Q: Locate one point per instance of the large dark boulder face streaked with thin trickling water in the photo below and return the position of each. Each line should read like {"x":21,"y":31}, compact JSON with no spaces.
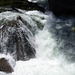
{"x":16,"y":39}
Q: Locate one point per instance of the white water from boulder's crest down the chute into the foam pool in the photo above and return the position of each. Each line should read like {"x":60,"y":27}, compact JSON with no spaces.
{"x":48,"y":61}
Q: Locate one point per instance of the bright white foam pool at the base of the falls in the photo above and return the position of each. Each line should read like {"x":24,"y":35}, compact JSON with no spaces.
{"x":43,"y":67}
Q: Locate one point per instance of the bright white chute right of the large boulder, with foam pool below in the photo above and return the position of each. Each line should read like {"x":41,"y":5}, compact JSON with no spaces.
{"x":48,"y":60}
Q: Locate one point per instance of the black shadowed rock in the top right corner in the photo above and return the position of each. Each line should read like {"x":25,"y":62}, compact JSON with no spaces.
{"x":62,"y":7}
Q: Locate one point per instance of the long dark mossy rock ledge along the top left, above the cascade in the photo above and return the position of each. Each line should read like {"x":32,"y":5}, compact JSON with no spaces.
{"x":21,"y":4}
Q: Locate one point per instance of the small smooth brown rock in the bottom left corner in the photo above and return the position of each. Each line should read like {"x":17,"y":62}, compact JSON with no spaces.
{"x":5,"y":66}
